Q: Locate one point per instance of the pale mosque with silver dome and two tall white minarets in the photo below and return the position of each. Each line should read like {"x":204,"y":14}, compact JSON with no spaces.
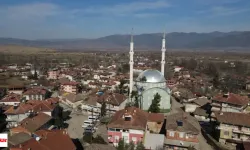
{"x":150,"y":82}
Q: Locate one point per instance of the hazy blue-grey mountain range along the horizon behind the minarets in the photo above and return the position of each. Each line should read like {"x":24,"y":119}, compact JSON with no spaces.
{"x":174,"y":40}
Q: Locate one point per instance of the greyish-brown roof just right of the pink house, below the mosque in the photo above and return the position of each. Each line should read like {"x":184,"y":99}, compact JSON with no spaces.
{"x":186,"y":126}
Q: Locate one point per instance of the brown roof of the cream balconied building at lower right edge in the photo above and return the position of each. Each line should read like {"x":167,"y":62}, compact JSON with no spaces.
{"x":240,"y":119}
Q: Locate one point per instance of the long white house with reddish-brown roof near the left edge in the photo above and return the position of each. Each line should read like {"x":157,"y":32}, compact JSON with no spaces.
{"x":17,"y":113}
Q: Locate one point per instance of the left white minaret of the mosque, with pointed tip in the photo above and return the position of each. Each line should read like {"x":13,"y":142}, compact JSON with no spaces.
{"x":131,"y":62}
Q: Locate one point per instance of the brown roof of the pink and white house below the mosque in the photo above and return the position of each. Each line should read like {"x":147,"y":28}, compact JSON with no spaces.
{"x":139,"y":119}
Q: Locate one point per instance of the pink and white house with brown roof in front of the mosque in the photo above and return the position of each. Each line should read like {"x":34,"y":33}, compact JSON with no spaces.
{"x":131,"y":124}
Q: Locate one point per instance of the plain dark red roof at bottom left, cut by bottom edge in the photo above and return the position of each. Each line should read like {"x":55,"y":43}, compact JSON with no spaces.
{"x":48,"y":140}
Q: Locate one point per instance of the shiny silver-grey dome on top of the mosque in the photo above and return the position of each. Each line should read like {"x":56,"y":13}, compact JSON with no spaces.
{"x":152,"y":76}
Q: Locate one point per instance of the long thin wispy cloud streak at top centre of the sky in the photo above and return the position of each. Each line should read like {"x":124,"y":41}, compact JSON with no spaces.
{"x":128,"y":8}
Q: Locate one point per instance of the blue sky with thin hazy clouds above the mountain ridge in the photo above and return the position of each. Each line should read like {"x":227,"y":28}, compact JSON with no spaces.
{"x":65,"y":19}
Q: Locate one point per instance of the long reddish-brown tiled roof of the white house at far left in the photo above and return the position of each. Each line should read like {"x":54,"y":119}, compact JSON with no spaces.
{"x":32,"y":105}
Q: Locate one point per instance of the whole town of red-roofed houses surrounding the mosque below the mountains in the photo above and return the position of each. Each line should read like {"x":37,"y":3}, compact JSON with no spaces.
{"x":126,"y":100}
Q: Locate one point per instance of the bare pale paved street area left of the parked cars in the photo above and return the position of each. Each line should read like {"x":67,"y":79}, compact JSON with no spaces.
{"x":75,"y":129}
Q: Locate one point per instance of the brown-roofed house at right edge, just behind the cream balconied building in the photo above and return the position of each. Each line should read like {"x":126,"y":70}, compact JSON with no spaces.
{"x":229,"y":102}
